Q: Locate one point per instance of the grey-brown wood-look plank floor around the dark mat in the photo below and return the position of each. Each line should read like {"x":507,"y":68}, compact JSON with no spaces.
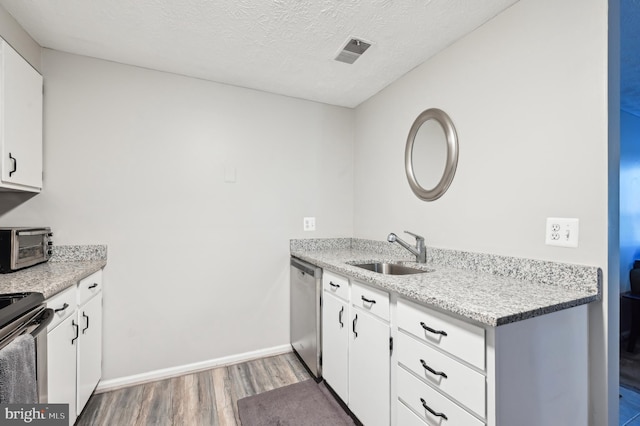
{"x":205,"y":398}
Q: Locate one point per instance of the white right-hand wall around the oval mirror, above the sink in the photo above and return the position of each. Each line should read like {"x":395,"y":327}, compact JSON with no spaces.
{"x":528,"y":94}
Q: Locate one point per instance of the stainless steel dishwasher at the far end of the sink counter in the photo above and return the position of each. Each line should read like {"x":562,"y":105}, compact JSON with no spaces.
{"x":306,"y":314}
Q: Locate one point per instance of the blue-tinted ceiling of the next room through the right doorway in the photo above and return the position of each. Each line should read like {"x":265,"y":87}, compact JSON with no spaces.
{"x":630,"y":56}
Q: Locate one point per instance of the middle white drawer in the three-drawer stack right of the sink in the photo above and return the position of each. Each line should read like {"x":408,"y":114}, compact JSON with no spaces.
{"x":462,"y":383}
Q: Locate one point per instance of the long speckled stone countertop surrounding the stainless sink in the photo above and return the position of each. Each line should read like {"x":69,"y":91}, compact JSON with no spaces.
{"x":488,"y":289}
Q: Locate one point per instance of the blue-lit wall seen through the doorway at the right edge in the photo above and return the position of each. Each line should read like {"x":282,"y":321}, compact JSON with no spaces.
{"x":629,"y":195}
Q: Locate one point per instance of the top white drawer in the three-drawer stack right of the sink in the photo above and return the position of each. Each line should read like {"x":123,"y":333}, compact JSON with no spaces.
{"x":459,"y":338}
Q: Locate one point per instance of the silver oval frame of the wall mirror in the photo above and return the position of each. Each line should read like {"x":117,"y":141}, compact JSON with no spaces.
{"x":452,"y":155}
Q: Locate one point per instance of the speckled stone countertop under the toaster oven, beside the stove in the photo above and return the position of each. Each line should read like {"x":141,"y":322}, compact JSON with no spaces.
{"x":68,"y":265}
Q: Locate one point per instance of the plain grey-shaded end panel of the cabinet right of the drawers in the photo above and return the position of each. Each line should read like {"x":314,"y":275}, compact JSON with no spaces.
{"x":537,"y":370}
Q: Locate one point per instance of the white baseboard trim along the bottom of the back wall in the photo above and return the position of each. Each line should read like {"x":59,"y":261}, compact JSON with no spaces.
{"x":167,"y":373}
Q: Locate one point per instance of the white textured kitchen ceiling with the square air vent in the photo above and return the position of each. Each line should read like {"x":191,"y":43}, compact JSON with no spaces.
{"x":280,"y":46}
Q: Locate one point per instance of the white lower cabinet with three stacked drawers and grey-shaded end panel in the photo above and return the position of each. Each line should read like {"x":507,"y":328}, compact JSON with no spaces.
{"x":527,"y":373}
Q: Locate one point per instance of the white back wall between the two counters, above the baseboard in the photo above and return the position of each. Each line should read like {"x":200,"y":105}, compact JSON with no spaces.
{"x":197,"y":268}
